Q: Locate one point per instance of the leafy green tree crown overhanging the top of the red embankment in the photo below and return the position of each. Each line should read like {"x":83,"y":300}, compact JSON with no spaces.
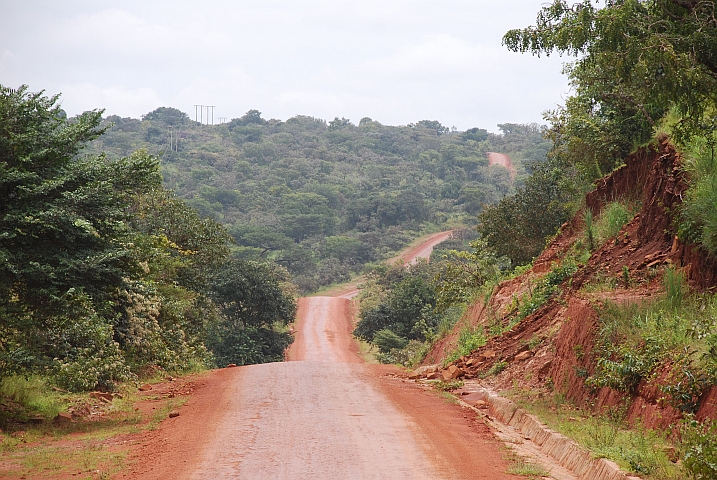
{"x":638,"y":58}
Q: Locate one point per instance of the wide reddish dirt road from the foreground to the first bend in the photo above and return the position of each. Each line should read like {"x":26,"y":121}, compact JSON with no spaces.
{"x":322,"y":415}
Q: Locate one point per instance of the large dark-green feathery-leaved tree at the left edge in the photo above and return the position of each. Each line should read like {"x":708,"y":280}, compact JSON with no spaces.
{"x":62,"y":216}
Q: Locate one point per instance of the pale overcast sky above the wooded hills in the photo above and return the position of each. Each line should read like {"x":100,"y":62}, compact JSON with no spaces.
{"x":396,"y":61}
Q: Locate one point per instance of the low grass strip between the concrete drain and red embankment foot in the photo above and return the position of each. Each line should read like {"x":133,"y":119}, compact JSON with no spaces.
{"x":607,"y":436}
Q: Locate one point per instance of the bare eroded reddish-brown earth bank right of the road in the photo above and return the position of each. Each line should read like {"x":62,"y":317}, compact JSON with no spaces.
{"x":554,"y":345}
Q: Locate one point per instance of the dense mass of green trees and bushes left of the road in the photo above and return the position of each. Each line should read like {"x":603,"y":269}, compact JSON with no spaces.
{"x":102,"y":271}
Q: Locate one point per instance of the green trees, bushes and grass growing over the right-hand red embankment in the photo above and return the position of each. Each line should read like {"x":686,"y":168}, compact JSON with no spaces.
{"x":643,"y":71}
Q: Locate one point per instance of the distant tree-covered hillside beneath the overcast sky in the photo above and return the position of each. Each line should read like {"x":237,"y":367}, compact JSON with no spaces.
{"x":324,"y":198}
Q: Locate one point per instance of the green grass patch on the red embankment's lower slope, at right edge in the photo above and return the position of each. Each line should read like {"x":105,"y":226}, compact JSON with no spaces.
{"x":633,"y":340}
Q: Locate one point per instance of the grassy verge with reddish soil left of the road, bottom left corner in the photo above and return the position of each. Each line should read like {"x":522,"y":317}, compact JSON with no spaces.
{"x":78,"y":448}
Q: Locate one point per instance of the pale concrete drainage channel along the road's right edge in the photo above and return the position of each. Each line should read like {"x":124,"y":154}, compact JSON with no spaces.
{"x":532,"y":440}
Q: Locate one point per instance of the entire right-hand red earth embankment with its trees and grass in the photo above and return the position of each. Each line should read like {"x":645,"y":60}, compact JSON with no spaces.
{"x":616,"y":313}
